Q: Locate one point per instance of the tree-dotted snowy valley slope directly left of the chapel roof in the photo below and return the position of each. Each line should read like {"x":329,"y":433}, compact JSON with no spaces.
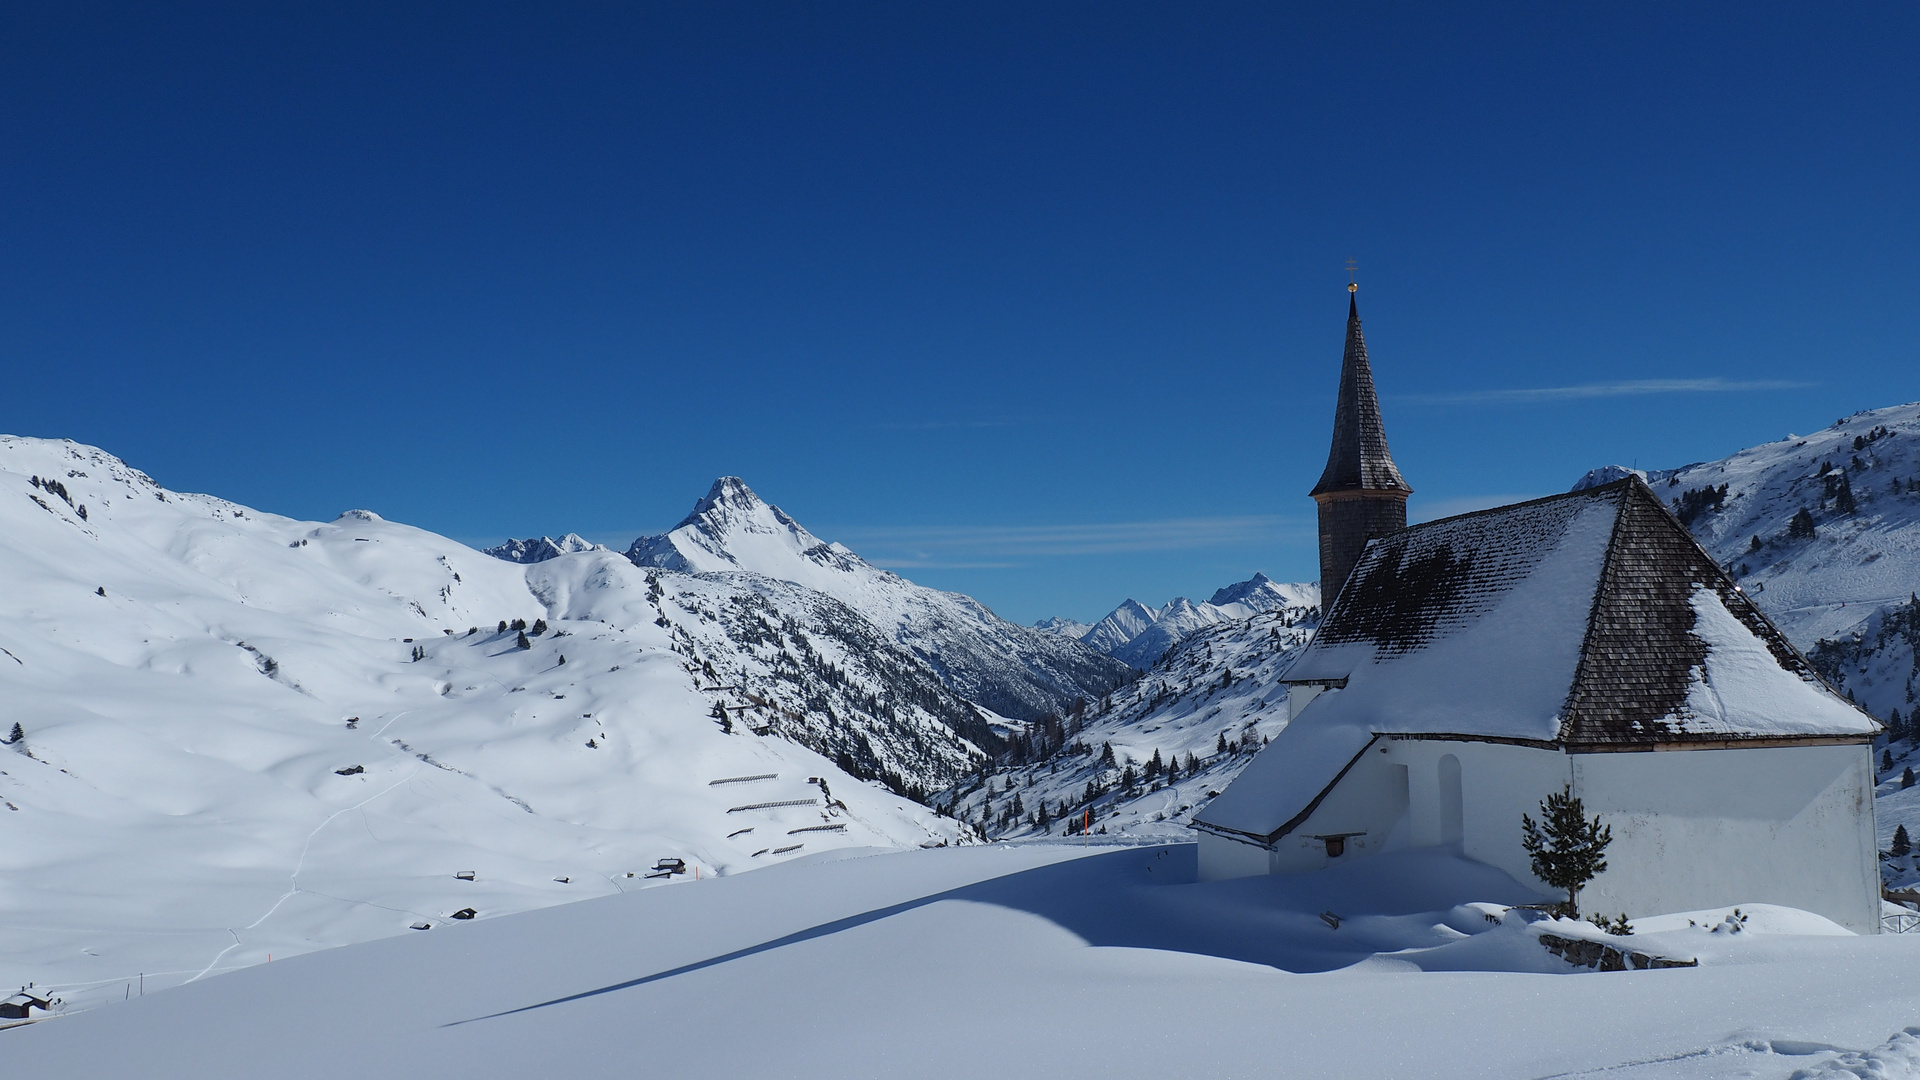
{"x":1209,"y":706}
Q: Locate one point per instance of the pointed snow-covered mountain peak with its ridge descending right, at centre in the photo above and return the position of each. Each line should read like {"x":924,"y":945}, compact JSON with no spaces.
{"x":1015,"y":672}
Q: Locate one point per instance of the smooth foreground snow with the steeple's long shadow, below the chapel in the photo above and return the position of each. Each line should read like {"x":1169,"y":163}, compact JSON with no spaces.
{"x":1032,"y":960}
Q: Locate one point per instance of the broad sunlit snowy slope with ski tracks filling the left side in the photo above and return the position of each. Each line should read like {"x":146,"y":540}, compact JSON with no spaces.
{"x":249,"y":735}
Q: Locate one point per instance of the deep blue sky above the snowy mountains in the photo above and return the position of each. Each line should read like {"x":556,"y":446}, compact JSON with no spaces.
{"x":1042,"y":303}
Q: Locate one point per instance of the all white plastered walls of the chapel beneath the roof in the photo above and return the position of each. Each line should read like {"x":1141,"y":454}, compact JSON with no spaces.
{"x":1691,"y":829}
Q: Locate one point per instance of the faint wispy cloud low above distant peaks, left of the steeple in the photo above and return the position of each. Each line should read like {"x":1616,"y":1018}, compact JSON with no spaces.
{"x":996,"y":545}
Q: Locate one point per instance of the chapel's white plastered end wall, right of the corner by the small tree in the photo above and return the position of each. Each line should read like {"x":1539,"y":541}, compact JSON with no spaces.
{"x":1716,"y":827}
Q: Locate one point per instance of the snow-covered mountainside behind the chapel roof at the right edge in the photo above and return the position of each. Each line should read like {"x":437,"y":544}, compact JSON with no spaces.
{"x":1825,"y":535}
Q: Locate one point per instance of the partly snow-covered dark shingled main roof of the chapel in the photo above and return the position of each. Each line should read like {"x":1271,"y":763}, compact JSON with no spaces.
{"x":1587,"y":622}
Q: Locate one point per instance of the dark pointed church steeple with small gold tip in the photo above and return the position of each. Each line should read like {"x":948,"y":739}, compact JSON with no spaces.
{"x":1362,"y":495}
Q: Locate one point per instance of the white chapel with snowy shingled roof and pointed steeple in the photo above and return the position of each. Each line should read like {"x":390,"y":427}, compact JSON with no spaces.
{"x":1470,"y":668}
